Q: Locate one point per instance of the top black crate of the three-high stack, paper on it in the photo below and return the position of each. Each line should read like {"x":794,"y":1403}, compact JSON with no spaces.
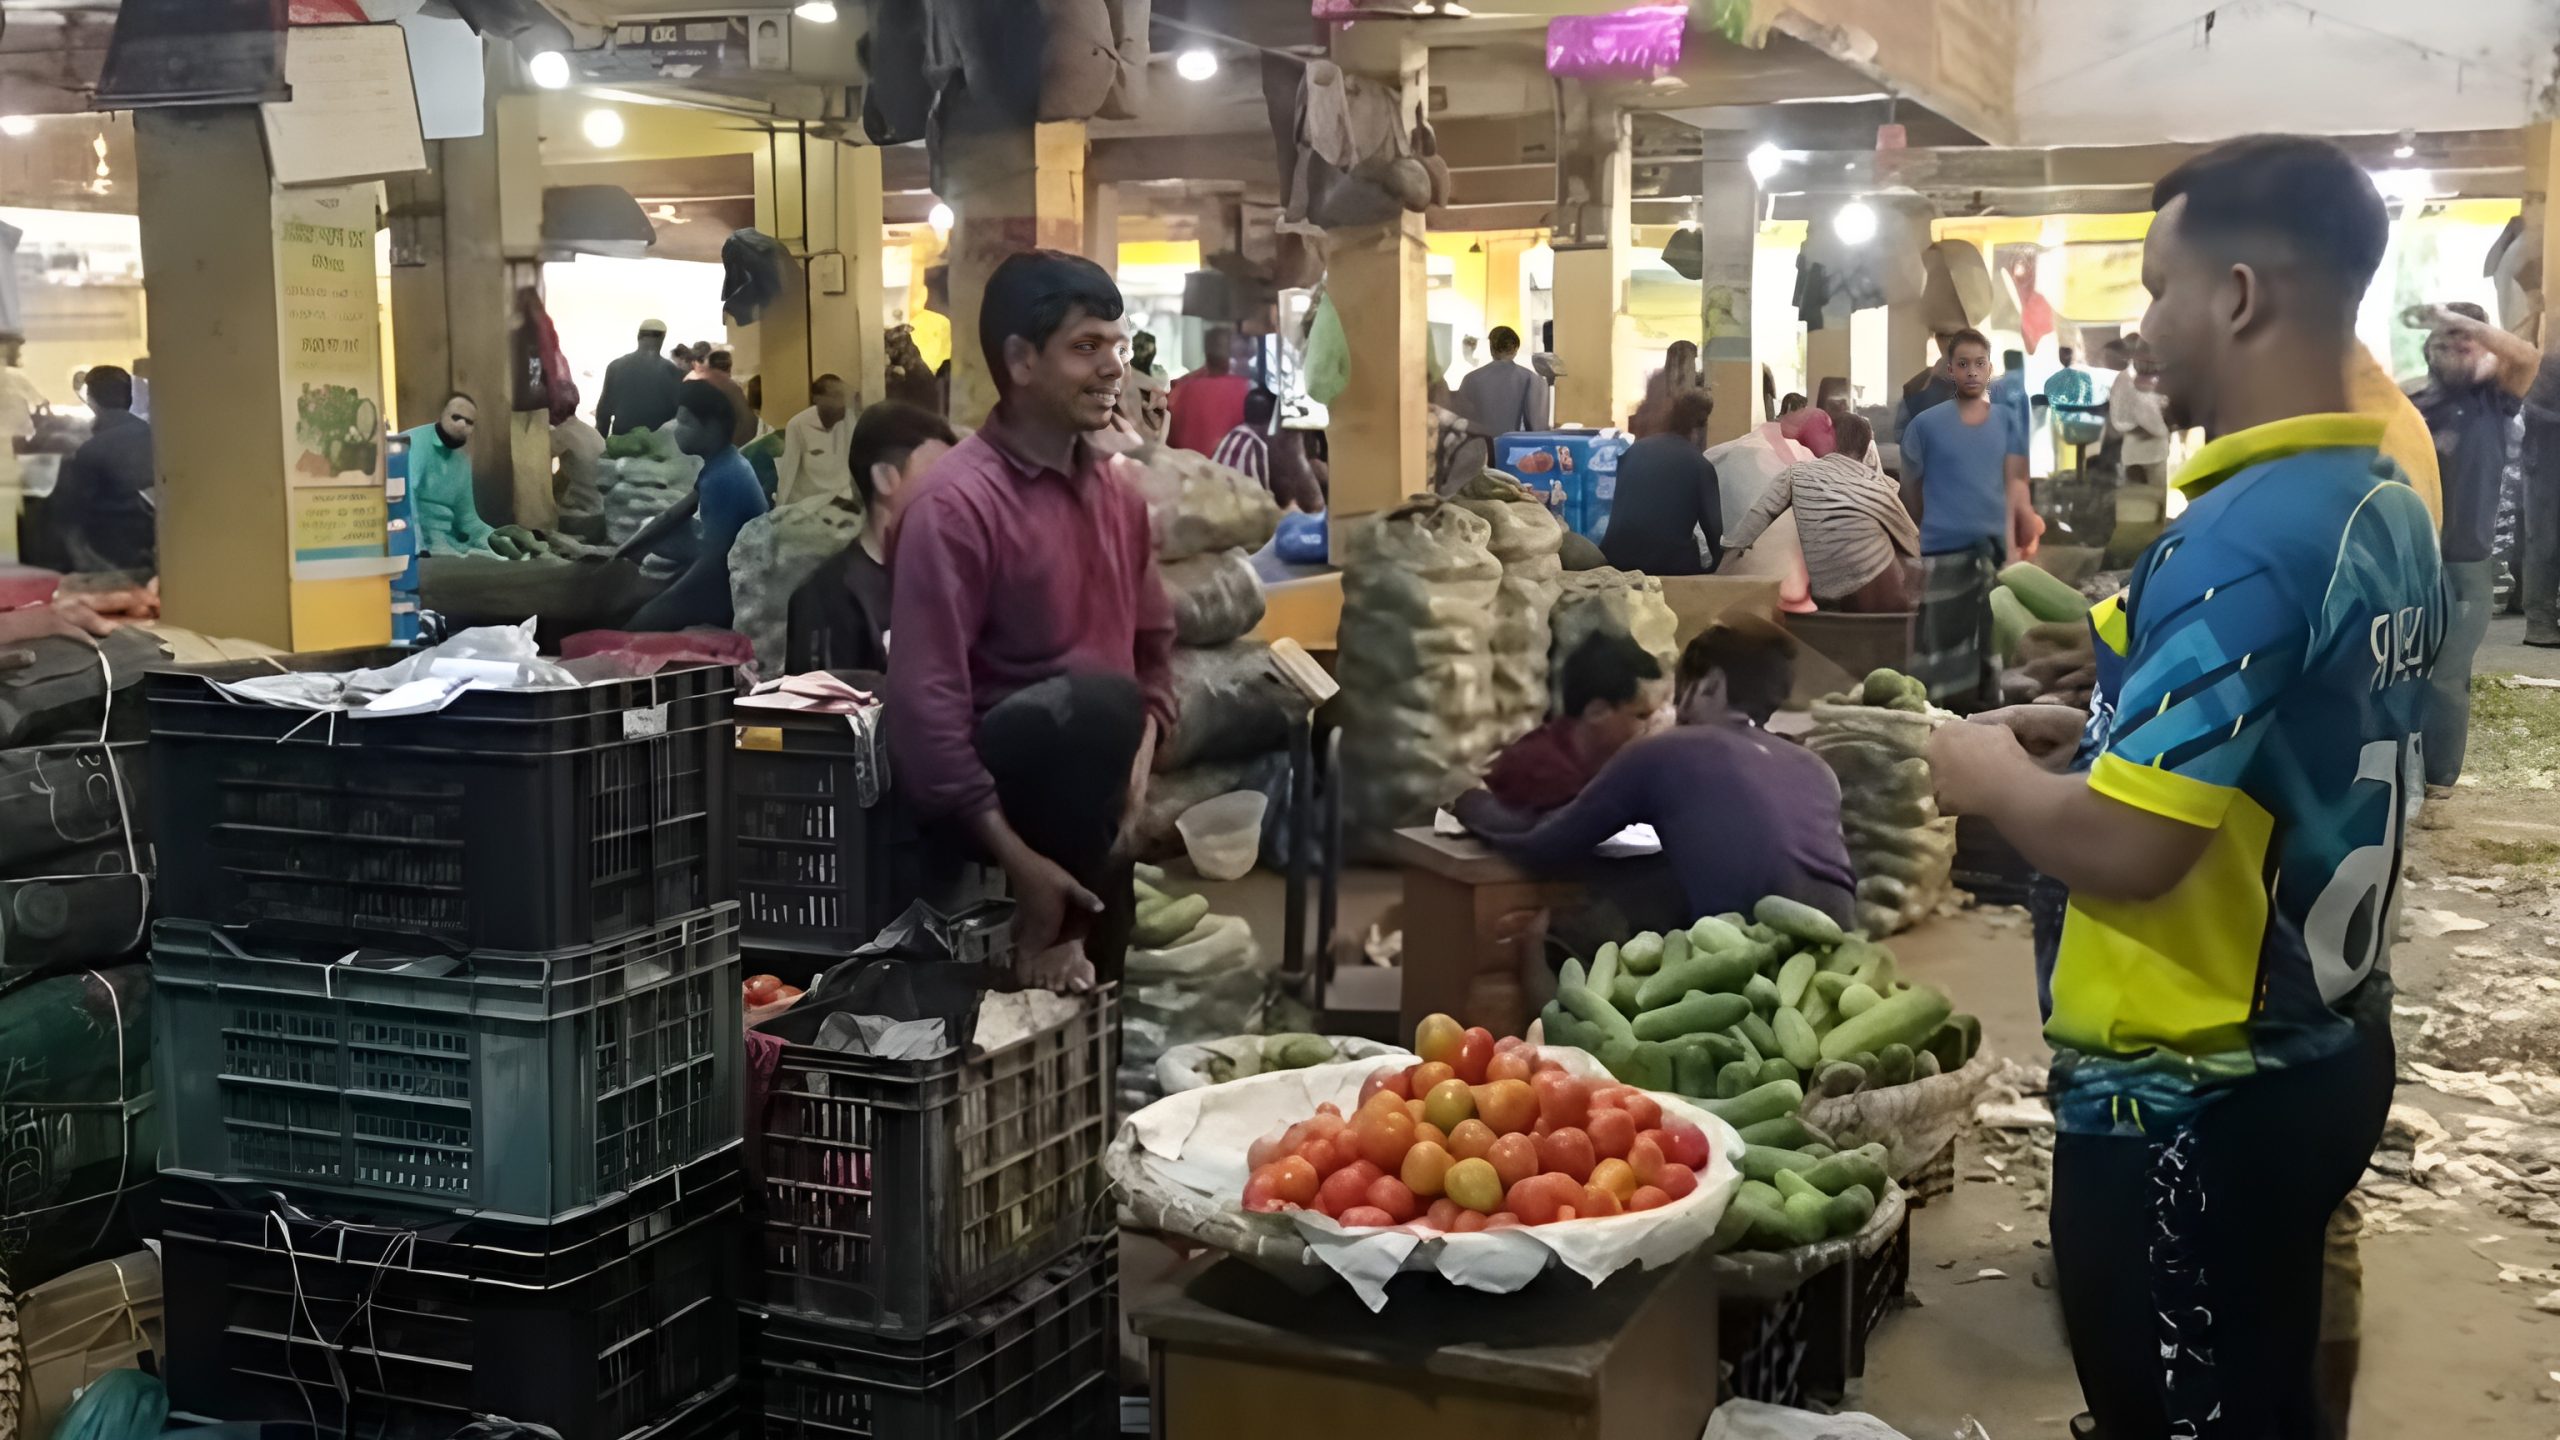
{"x":511,"y":821}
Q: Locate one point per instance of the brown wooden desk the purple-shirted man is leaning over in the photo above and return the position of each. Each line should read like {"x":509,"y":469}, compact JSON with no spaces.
{"x":1455,"y":898}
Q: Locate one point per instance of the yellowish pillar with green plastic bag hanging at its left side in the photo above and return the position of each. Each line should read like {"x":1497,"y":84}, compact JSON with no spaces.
{"x":1379,"y":281}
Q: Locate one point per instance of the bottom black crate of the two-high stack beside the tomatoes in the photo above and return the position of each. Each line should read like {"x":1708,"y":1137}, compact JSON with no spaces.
{"x":1038,"y":1362}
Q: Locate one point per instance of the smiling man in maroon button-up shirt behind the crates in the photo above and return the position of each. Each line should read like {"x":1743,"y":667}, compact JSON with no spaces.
{"x":1030,"y":637}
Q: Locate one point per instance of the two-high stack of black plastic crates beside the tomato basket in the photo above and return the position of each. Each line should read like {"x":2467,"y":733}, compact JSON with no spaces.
{"x":933,"y":1236}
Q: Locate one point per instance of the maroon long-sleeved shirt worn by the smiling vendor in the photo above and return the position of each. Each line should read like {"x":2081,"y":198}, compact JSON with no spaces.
{"x":1002,"y":575}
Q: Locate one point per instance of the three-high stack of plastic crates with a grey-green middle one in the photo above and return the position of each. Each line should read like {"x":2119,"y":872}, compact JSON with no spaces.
{"x":449,"y":1031}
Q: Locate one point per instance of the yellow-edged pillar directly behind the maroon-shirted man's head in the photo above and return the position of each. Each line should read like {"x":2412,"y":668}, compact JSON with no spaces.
{"x":1010,"y":191}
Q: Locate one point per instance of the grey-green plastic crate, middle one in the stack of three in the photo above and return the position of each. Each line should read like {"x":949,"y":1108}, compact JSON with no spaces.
{"x":521,"y":1088}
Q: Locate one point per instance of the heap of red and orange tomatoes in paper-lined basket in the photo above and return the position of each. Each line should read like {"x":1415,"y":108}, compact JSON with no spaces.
{"x":1478,"y":1136}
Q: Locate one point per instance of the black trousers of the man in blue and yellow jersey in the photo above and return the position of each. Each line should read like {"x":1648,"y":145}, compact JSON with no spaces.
{"x":2190,"y":1267}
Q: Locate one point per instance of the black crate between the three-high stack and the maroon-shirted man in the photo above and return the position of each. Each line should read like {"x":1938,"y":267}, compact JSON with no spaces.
{"x":828,"y":852}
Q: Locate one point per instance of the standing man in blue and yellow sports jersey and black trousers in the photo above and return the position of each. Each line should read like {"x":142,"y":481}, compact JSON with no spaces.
{"x":2231,"y":821}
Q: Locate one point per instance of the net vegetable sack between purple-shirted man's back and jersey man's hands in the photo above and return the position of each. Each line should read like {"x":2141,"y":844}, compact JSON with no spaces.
{"x":1898,"y":842}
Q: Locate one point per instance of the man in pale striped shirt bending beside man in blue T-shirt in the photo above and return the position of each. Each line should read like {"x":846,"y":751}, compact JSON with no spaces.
{"x":1857,"y":534}
